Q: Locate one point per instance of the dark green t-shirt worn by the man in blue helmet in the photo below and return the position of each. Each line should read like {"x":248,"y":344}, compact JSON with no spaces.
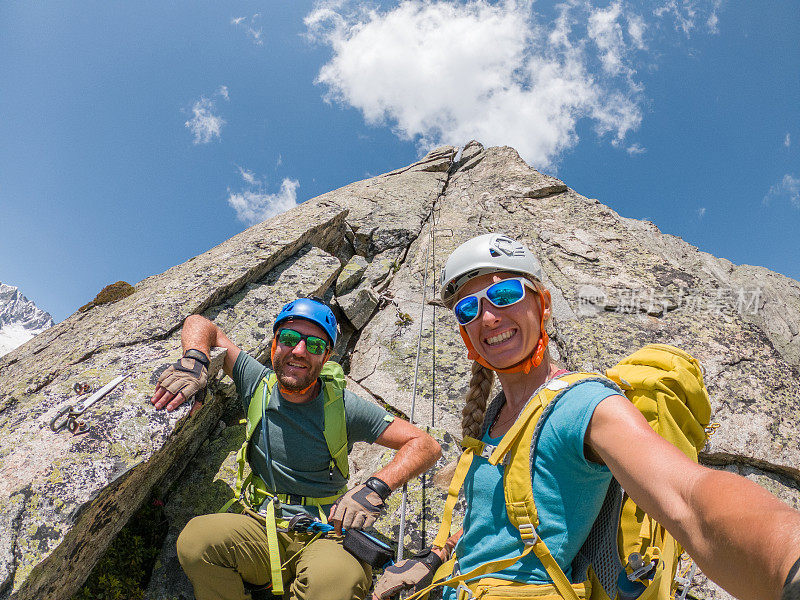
{"x":297,"y":447}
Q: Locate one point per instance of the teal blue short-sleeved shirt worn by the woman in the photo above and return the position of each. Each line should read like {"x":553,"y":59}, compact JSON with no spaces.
{"x":567,"y":488}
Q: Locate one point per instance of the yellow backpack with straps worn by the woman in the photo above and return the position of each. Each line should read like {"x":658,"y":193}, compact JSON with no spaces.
{"x":666,"y":385}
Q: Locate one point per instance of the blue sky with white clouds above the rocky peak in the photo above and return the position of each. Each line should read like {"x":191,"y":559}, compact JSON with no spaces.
{"x":134,"y":136}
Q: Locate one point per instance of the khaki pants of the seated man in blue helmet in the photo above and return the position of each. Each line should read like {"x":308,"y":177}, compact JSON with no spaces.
{"x":220,"y":551}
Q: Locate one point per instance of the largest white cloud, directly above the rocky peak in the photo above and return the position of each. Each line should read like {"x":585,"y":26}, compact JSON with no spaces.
{"x":447,"y":72}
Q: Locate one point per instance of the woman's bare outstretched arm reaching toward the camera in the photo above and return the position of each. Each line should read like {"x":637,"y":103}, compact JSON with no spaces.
{"x":739,"y":534}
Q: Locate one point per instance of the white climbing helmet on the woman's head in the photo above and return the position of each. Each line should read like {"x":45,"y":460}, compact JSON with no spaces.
{"x":486,"y":253}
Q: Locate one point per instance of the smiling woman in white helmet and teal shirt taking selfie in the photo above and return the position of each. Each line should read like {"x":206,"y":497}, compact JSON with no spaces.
{"x":739,"y":534}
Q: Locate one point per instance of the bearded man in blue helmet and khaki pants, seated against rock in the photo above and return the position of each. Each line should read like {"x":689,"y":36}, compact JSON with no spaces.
{"x":226,"y":554}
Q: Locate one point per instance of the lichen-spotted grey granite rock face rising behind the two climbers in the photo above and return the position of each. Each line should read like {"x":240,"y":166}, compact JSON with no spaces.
{"x":374,"y":249}
